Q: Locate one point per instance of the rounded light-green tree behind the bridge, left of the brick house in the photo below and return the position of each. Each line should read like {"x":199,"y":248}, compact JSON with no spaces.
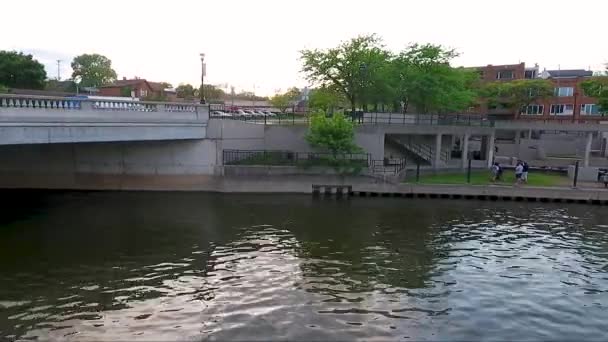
{"x":94,"y":70}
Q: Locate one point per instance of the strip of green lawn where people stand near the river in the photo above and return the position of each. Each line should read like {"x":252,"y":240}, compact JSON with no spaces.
{"x":484,"y":178}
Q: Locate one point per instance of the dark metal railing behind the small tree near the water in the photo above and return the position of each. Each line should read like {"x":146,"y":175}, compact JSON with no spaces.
{"x":291,"y":158}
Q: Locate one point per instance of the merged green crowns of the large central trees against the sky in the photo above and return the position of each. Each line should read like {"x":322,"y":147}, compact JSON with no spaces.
{"x":419,"y":77}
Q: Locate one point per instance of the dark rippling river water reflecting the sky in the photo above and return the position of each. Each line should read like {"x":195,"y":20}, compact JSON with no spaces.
{"x":191,"y":266}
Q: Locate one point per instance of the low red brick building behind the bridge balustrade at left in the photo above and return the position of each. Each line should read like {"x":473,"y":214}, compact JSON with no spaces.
{"x":139,"y":88}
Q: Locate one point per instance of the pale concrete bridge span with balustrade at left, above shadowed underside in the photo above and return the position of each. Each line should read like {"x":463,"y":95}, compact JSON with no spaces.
{"x":36,"y":120}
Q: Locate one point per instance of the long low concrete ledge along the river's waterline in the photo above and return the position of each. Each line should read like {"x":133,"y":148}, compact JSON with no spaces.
{"x":361,"y":186}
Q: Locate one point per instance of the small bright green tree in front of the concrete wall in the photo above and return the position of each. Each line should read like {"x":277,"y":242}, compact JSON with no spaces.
{"x":335,"y":134}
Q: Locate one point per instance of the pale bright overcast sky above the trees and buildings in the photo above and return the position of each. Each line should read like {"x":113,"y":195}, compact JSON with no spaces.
{"x":254,"y":45}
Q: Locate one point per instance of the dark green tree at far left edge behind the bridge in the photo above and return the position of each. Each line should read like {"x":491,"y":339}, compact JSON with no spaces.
{"x":21,"y":71}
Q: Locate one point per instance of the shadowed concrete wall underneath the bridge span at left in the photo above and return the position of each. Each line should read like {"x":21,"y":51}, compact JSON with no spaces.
{"x":136,"y":158}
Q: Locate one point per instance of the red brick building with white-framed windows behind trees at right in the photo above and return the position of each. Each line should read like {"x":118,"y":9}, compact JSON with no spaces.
{"x":568,"y":103}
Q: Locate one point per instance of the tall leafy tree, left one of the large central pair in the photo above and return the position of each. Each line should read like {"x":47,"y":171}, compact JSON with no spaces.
{"x":348,"y":67}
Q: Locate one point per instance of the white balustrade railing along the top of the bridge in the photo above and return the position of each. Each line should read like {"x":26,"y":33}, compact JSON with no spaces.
{"x":75,"y":103}
